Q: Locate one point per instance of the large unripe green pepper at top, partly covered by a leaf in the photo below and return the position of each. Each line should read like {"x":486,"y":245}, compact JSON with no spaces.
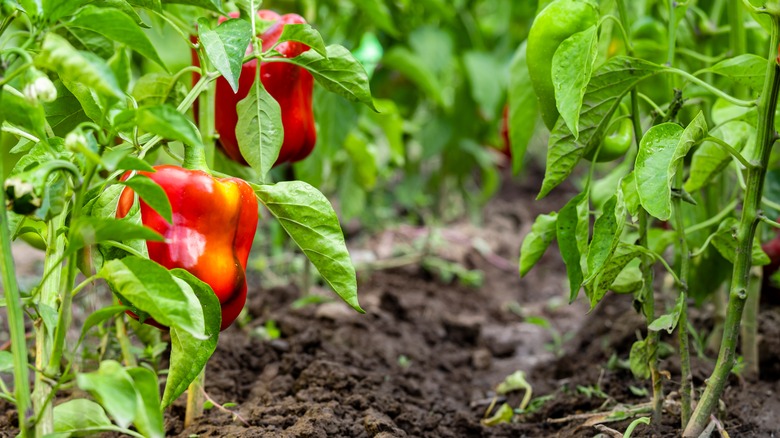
{"x":556,"y":22}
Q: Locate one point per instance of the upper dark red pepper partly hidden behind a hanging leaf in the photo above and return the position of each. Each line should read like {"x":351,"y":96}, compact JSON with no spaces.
{"x":291,"y":86}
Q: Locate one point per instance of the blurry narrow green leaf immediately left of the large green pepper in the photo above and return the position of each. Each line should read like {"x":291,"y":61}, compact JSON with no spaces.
{"x":523,"y":108}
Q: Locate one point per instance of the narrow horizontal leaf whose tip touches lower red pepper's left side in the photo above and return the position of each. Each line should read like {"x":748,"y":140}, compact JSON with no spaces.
{"x":92,"y":230}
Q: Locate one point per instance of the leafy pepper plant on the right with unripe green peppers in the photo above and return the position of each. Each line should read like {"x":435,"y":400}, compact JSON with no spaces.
{"x":700,"y":81}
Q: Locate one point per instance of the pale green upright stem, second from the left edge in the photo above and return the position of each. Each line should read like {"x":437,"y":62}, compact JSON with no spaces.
{"x":55,"y":247}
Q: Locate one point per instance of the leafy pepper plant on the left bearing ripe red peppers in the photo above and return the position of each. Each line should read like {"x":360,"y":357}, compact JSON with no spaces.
{"x":83,"y":122}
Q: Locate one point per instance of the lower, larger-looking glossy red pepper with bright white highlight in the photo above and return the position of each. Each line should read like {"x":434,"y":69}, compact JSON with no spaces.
{"x":214,"y":224}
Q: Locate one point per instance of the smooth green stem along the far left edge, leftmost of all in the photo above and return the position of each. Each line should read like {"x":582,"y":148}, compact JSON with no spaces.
{"x":15,"y":320}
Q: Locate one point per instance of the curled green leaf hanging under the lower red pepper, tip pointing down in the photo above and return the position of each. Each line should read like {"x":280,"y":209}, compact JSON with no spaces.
{"x":188,"y":354}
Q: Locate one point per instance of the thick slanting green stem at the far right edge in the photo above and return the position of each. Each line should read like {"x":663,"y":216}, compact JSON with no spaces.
{"x":765,"y":138}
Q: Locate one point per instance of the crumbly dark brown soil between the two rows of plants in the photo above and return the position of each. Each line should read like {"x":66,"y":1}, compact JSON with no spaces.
{"x":425,"y":359}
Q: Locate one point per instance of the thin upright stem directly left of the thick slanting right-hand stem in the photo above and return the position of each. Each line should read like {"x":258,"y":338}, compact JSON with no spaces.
{"x":686,"y":385}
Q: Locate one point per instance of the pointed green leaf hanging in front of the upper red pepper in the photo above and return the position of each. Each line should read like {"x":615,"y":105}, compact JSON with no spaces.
{"x":259,"y":129}
